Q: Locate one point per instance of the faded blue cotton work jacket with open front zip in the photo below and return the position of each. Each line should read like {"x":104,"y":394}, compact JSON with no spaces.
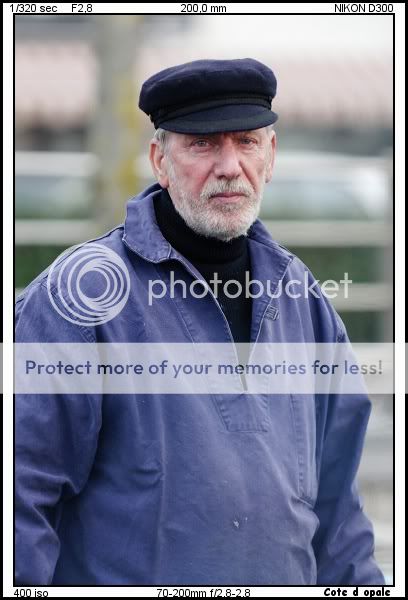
{"x":231,"y":489}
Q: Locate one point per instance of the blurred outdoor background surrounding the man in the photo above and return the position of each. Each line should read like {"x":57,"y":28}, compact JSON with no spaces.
{"x":81,"y":152}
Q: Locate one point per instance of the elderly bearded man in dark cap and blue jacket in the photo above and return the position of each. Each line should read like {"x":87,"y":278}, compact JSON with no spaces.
{"x":193,"y":488}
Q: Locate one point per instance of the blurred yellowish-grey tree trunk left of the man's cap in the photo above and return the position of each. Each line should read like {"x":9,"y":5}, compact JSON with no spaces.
{"x":115,"y":128}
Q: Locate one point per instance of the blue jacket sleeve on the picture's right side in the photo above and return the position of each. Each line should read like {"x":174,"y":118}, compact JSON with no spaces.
{"x":344,"y":542}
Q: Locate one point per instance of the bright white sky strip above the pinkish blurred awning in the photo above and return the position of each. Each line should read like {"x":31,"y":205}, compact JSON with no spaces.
{"x":312,"y":34}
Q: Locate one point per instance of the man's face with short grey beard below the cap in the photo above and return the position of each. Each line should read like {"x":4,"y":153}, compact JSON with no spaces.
{"x":216,"y":181}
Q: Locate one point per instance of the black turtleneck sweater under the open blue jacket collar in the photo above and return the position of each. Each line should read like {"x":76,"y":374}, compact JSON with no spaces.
{"x":229,"y":260}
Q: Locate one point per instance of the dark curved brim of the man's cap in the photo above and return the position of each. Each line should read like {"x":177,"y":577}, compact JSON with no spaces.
{"x":235,"y":117}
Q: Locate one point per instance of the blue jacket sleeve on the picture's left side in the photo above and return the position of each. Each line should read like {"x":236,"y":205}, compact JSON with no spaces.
{"x":55,"y":444}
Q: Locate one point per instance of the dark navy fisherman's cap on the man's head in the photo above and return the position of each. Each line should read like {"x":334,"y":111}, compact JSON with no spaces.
{"x":210,"y":96}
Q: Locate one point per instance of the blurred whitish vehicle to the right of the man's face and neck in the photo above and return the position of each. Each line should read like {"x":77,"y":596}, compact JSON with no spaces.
{"x":318,"y":186}
